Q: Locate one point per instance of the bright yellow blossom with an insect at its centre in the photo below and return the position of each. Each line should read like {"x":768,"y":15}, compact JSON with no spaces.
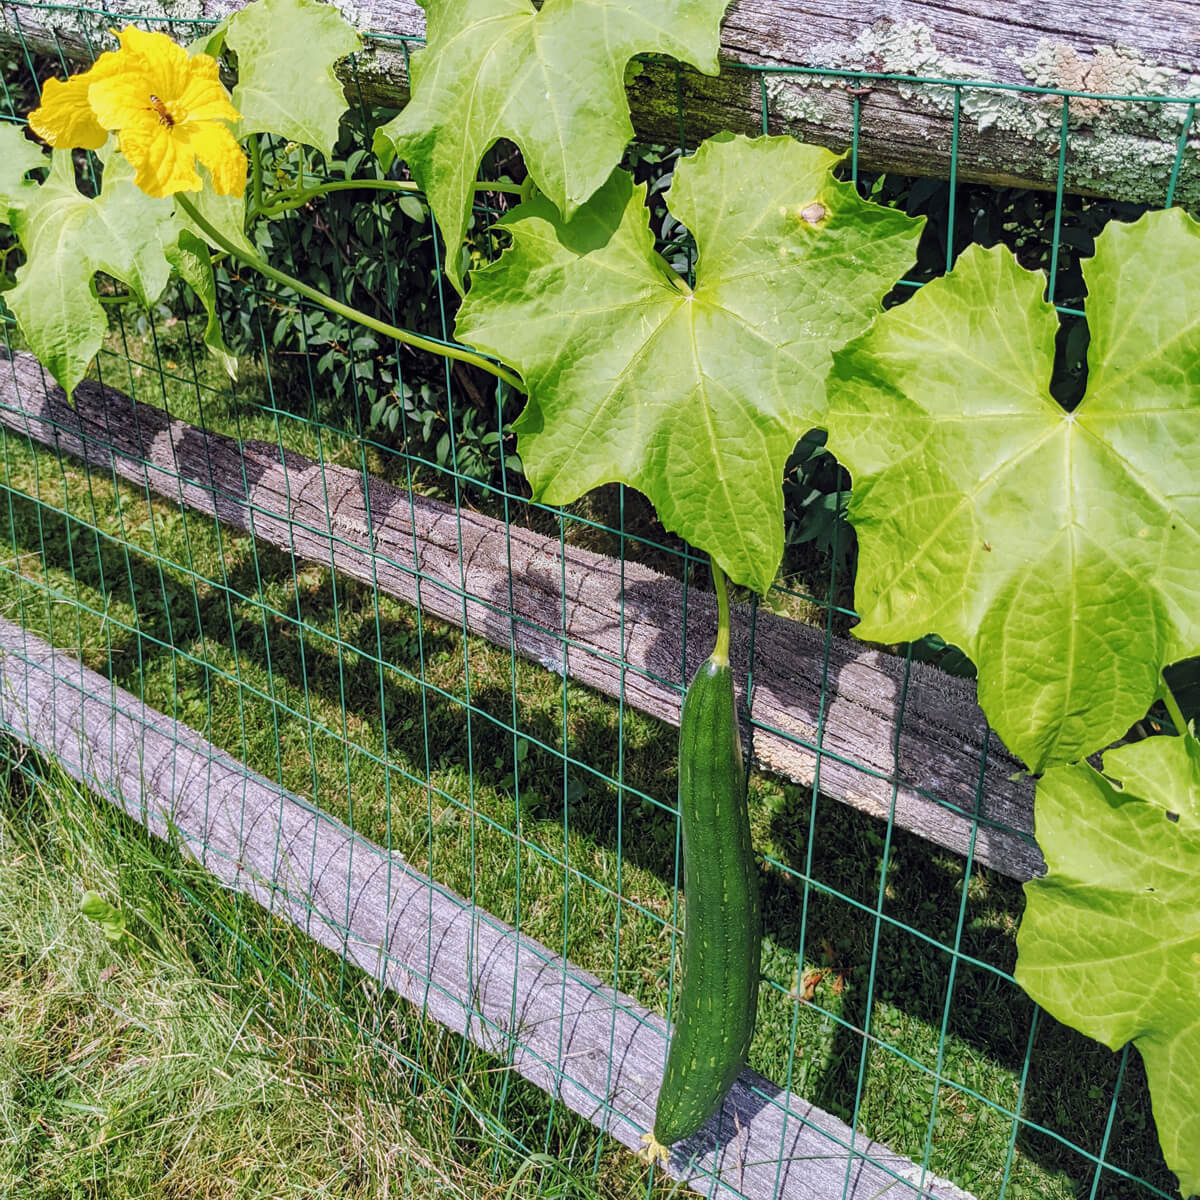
{"x":169,"y":110}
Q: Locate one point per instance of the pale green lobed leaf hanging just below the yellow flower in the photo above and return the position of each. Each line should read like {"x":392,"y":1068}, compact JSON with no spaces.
{"x":68,"y":238}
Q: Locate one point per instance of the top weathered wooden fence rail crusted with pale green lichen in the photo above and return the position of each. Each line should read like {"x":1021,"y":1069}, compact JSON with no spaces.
{"x":1113,"y":47}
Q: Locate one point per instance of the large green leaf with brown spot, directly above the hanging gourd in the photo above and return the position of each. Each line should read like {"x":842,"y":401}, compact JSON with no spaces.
{"x":695,"y":398}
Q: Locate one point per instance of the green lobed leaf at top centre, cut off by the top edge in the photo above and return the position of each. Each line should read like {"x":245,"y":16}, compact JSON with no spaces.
{"x":553,"y":82}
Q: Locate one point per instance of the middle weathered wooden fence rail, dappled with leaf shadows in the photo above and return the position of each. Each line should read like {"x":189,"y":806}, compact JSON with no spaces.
{"x":907,"y":742}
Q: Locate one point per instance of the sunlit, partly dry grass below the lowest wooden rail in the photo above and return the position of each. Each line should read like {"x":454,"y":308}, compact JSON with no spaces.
{"x":209,"y":1053}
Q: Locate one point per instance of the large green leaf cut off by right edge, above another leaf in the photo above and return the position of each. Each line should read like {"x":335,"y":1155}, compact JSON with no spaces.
{"x":1061,"y":551}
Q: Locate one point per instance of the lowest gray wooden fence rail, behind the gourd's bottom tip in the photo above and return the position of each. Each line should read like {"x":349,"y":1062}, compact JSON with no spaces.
{"x":593,"y":1048}
